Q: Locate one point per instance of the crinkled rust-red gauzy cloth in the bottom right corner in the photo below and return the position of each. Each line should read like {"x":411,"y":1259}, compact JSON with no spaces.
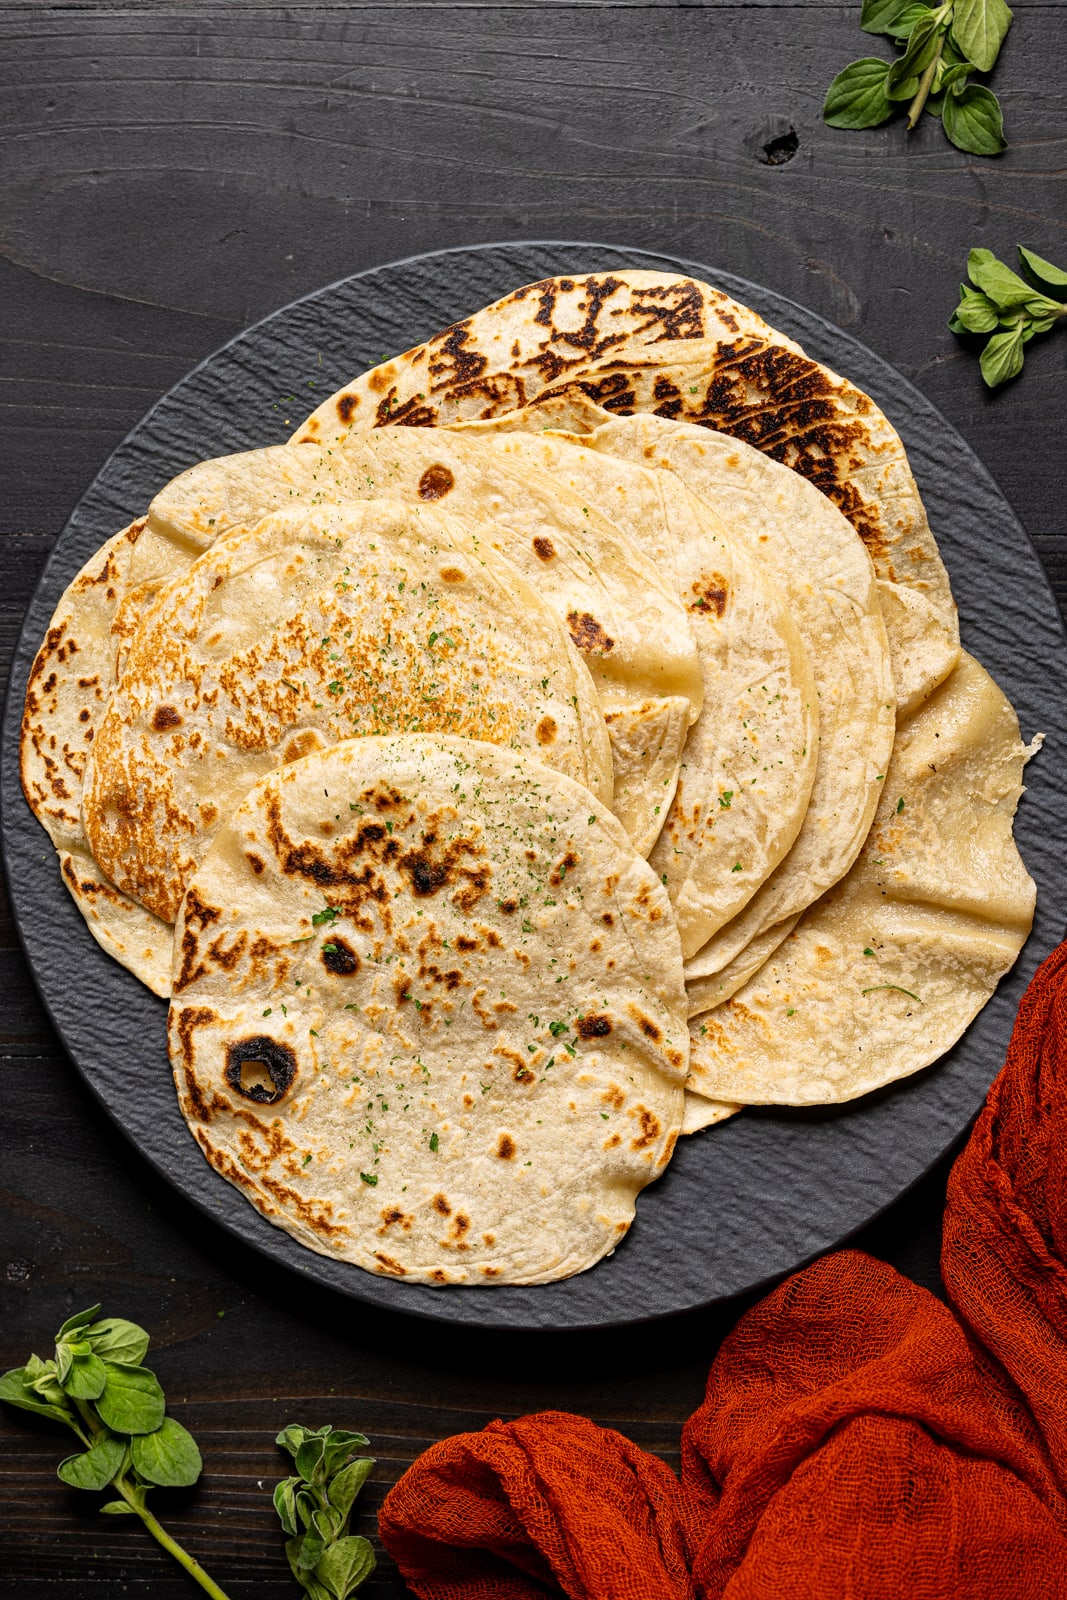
{"x":858,"y":1439}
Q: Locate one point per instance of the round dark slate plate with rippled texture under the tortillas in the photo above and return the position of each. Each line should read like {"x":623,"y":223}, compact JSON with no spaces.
{"x":741,"y":1204}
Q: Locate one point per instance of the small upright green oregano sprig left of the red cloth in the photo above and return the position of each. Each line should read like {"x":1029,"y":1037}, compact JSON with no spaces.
{"x":316,"y":1506}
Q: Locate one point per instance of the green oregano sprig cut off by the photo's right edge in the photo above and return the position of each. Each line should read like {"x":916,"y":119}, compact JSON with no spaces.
{"x":1009,"y":308}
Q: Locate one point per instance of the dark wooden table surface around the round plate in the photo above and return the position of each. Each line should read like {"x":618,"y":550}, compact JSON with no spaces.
{"x":172,"y":174}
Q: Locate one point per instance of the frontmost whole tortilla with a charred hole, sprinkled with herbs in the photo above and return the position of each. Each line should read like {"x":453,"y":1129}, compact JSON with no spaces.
{"x":367,"y":1036}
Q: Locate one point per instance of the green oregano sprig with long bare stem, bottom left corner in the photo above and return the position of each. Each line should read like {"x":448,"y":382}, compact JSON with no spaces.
{"x":98,"y":1388}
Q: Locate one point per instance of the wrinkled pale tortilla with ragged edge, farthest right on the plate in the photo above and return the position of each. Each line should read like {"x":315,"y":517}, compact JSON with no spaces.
{"x":884,"y":975}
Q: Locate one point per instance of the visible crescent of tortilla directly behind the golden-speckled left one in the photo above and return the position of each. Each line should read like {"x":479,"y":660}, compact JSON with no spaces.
{"x":642,"y":657}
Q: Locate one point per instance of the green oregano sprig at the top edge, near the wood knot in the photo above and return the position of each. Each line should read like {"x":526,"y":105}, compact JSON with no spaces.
{"x":943,"y":47}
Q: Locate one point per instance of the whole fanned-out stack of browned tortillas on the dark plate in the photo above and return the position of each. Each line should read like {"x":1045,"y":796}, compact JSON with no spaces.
{"x":561,"y":745}
